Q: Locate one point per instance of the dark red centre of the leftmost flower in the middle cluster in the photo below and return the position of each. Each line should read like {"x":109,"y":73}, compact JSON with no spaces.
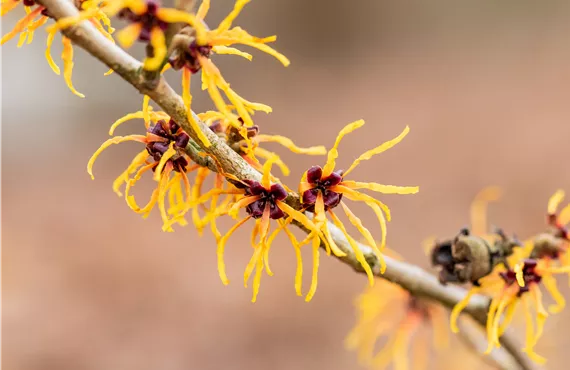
{"x":172,"y":132}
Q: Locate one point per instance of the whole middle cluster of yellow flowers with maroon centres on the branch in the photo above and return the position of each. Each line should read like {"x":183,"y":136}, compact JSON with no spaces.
{"x":166,"y":152}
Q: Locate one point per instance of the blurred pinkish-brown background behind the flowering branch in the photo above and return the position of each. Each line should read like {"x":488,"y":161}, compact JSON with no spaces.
{"x":87,"y":284}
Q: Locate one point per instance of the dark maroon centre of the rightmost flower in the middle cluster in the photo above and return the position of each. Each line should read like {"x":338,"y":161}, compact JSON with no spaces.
{"x":331,"y":198}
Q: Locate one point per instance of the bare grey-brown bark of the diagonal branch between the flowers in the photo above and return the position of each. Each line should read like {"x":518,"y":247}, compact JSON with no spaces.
{"x":412,"y":278}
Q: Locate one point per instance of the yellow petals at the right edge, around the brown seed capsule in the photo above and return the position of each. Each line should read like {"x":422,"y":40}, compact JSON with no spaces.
{"x":506,"y":296}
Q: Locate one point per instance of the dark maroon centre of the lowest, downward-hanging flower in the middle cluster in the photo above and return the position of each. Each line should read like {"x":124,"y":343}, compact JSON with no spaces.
{"x":267,"y":197}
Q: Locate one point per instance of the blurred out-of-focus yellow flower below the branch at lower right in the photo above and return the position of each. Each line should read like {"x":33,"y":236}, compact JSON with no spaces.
{"x":409,"y":323}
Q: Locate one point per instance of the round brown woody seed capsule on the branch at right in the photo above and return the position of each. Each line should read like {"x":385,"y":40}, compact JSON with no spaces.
{"x":469,"y":258}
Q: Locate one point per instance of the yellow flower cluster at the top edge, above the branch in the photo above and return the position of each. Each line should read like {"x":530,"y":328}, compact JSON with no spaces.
{"x":190,"y":48}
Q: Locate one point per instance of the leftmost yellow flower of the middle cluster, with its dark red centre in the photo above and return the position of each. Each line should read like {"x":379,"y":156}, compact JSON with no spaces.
{"x":164,"y":153}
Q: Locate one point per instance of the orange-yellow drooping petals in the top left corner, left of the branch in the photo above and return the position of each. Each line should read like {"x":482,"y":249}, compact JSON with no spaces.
{"x":38,"y":17}
